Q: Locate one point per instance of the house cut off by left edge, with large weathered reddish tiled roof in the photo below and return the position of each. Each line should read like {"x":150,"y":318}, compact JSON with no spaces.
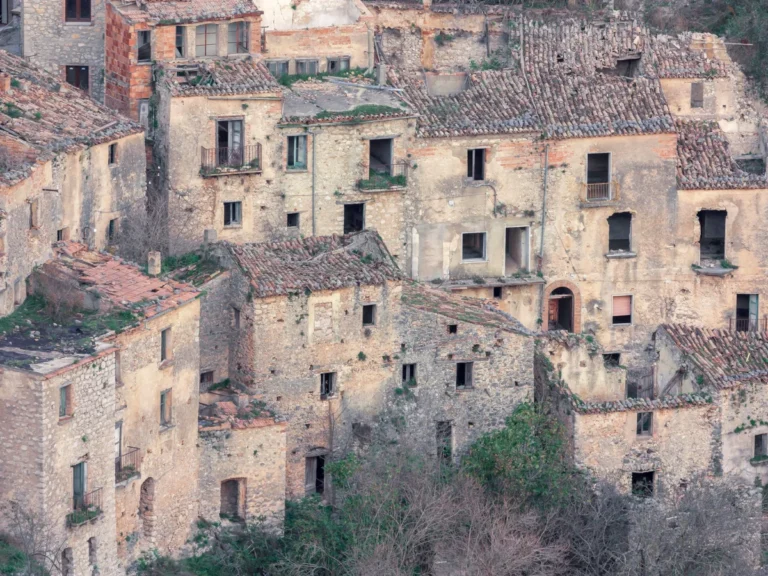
{"x":70,"y":169}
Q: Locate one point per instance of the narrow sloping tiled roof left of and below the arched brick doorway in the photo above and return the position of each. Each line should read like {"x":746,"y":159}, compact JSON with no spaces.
{"x":472,"y":310}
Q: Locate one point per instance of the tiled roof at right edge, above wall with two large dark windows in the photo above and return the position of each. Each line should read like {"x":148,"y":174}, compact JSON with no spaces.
{"x":704,"y":161}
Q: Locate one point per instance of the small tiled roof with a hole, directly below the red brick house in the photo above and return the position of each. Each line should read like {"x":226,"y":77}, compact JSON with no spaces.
{"x":222,"y":76}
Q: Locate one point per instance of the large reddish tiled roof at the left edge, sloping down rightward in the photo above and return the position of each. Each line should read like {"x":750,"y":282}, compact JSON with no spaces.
{"x":51,"y":116}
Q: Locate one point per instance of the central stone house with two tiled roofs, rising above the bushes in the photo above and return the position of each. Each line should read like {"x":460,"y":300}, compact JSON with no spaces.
{"x":332,"y":338}
